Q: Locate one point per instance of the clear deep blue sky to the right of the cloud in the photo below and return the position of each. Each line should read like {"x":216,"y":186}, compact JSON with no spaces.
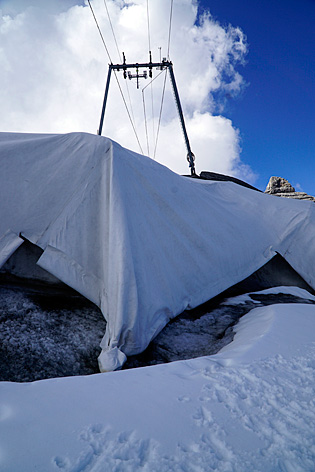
{"x":275,"y":113}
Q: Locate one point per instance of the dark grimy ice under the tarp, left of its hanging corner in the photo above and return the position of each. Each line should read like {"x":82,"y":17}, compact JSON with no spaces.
{"x":45,"y":335}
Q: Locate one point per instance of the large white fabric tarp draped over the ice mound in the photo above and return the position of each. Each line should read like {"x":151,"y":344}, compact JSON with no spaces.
{"x":139,"y":241}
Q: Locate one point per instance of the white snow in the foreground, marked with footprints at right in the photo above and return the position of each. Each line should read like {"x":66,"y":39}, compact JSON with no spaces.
{"x":249,"y":407}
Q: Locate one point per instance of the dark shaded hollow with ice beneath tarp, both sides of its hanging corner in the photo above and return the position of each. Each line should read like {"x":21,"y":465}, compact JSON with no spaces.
{"x":49,"y":330}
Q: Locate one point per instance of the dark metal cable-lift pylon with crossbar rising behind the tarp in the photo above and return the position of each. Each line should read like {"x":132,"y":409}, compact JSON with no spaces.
{"x":164,"y":64}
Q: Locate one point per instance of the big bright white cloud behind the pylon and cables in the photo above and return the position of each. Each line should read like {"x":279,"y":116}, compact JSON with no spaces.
{"x":53,"y":69}
